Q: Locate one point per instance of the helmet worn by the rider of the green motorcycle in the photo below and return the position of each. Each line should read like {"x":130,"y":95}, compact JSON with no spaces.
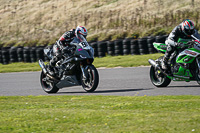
{"x":187,"y":27}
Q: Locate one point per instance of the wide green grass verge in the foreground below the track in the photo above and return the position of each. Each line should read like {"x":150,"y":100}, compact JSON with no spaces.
{"x":153,"y":114}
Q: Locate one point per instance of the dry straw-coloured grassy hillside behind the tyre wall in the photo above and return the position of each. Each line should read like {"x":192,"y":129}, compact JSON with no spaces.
{"x":43,"y":21}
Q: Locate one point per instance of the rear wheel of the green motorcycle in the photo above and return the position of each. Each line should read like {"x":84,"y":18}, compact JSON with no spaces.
{"x":158,"y":80}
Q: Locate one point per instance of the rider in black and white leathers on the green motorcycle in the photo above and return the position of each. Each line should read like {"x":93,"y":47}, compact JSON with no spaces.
{"x":183,"y":30}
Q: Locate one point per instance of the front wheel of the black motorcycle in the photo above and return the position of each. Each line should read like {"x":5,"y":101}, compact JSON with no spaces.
{"x":91,"y":82}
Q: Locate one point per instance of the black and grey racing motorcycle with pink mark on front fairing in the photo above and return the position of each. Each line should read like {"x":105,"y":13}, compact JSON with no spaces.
{"x":72,"y":70}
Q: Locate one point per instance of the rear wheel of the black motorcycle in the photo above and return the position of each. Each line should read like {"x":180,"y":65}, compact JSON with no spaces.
{"x":49,"y":86}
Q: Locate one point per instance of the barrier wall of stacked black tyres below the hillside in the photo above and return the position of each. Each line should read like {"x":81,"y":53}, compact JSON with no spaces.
{"x":101,"y":49}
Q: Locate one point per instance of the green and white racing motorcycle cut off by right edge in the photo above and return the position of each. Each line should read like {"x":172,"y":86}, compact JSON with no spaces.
{"x":184,"y":64}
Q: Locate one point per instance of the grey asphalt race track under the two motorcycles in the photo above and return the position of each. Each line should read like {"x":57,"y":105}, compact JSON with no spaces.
{"x":132,"y":81}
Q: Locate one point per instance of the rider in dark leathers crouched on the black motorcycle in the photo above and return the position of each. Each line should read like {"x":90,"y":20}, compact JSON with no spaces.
{"x":63,"y":45}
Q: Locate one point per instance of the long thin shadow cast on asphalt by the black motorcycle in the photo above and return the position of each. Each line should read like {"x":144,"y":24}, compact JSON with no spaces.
{"x":106,"y":91}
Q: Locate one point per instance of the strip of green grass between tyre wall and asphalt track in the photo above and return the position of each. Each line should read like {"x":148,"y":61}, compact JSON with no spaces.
{"x":109,"y":61}
